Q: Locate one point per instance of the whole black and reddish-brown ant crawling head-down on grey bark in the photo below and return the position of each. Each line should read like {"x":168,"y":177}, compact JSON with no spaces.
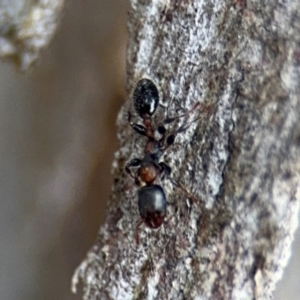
{"x":152,"y":203}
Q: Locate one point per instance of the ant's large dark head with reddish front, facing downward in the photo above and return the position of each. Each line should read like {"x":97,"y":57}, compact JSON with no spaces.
{"x":152,"y":205}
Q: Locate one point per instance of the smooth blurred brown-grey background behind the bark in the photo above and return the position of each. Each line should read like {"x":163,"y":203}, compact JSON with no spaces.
{"x":57,"y":141}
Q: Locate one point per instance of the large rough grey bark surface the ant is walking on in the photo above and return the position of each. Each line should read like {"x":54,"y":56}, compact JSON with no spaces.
{"x":241,"y":61}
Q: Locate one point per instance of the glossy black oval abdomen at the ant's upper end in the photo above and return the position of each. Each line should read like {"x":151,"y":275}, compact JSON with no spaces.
{"x":145,"y":97}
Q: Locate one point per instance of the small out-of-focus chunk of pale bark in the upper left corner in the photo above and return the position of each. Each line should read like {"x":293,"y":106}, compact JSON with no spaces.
{"x":26,"y":27}
